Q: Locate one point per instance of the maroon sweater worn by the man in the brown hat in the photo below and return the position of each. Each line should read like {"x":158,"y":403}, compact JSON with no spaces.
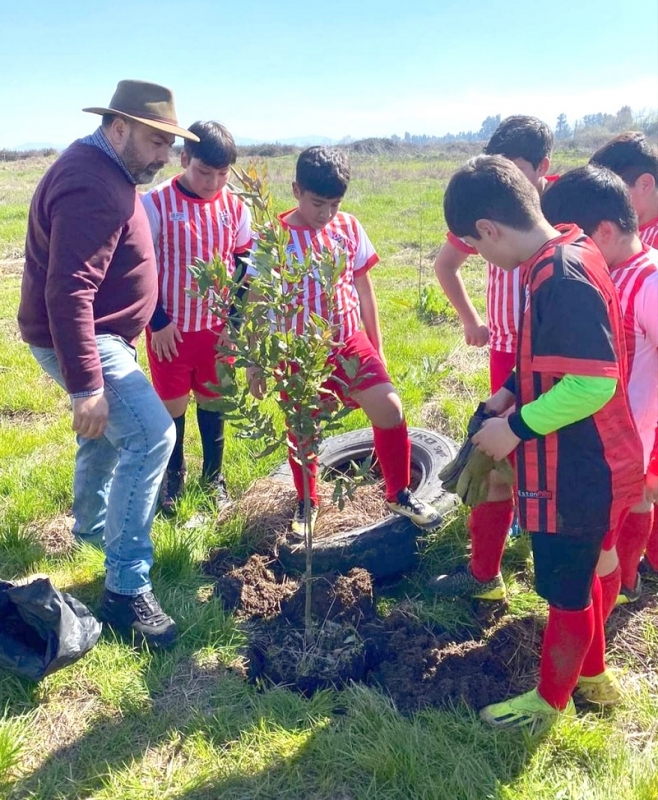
{"x":89,"y":263}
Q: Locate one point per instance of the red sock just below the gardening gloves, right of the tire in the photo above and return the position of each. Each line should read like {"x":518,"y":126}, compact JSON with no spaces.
{"x":489,"y":524}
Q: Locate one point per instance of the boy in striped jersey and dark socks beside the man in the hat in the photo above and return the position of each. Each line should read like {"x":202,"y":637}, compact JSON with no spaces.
{"x":193,"y":215}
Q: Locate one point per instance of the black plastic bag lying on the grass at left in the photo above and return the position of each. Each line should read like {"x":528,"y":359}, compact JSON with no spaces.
{"x":42,"y":629}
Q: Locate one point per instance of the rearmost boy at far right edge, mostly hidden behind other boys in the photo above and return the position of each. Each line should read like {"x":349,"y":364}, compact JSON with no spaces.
{"x":635,"y":160}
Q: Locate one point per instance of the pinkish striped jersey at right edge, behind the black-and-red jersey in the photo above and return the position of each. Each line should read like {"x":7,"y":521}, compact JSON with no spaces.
{"x":636,"y":281}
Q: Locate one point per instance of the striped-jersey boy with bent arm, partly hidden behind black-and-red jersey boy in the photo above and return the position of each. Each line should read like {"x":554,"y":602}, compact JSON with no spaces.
{"x":528,"y":143}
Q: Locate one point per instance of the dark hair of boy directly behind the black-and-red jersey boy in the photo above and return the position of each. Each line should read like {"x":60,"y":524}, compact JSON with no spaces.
{"x":588,"y":196}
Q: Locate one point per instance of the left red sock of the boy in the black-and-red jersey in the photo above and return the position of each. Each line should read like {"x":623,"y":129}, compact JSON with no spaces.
{"x":567,"y":639}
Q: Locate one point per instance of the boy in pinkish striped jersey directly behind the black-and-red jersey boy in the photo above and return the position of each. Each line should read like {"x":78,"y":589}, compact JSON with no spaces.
{"x":597,"y":200}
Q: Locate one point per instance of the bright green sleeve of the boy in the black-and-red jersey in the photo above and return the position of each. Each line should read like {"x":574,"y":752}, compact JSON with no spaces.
{"x":571,"y":399}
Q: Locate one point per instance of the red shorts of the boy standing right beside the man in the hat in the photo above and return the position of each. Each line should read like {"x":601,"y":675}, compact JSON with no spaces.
{"x":191,"y":370}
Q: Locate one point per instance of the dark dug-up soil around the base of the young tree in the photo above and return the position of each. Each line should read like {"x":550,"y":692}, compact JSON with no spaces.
{"x":416,"y":664}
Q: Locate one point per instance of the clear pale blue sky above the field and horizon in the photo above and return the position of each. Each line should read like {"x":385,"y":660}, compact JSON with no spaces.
{"x":272,"y":70}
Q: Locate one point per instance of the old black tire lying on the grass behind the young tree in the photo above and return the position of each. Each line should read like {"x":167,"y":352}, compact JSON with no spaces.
{"x":389,"y":546}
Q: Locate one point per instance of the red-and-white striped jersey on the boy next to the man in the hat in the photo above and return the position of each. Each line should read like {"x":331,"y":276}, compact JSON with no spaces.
{"x":186,"y":228}
